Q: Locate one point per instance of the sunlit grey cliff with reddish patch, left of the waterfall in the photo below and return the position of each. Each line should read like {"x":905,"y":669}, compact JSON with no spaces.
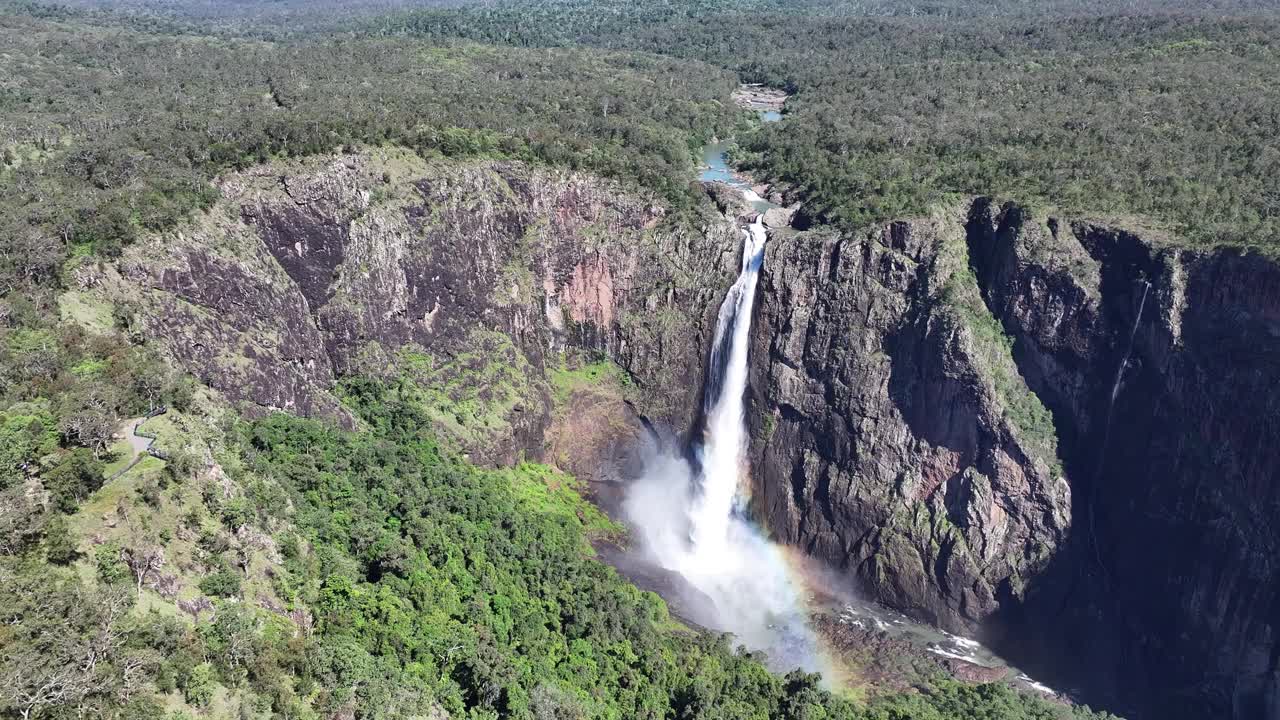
{"x":473,"y":279}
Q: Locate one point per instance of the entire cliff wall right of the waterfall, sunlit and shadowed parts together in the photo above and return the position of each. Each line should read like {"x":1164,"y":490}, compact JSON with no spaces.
{"x":940,"y":407}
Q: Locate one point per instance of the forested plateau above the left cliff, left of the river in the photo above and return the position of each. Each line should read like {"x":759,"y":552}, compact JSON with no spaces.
{"x":109,"y":133}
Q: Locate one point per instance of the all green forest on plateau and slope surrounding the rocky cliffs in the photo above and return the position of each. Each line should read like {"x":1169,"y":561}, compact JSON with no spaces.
{"x":468,"y":591}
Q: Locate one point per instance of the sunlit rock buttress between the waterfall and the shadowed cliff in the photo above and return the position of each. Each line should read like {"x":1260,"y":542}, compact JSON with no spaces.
{"x":884,"y":443}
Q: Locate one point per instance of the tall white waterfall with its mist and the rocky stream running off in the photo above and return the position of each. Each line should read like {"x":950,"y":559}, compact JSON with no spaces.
{"x":689,"y":518}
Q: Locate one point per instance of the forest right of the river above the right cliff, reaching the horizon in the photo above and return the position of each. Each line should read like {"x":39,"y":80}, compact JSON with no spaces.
{"x":1165,"y":111}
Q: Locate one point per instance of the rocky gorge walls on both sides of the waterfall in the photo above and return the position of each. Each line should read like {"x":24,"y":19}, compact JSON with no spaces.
{"x":925,"y":397}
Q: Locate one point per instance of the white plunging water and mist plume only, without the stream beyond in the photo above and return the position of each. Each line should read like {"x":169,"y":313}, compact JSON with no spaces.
{"x":691,"y":521}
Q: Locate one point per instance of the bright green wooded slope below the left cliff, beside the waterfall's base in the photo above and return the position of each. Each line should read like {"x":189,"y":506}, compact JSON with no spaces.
{"x":374,"y":576}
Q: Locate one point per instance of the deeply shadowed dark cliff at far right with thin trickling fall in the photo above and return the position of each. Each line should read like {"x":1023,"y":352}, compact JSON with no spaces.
{"x":1164,"y":380}
